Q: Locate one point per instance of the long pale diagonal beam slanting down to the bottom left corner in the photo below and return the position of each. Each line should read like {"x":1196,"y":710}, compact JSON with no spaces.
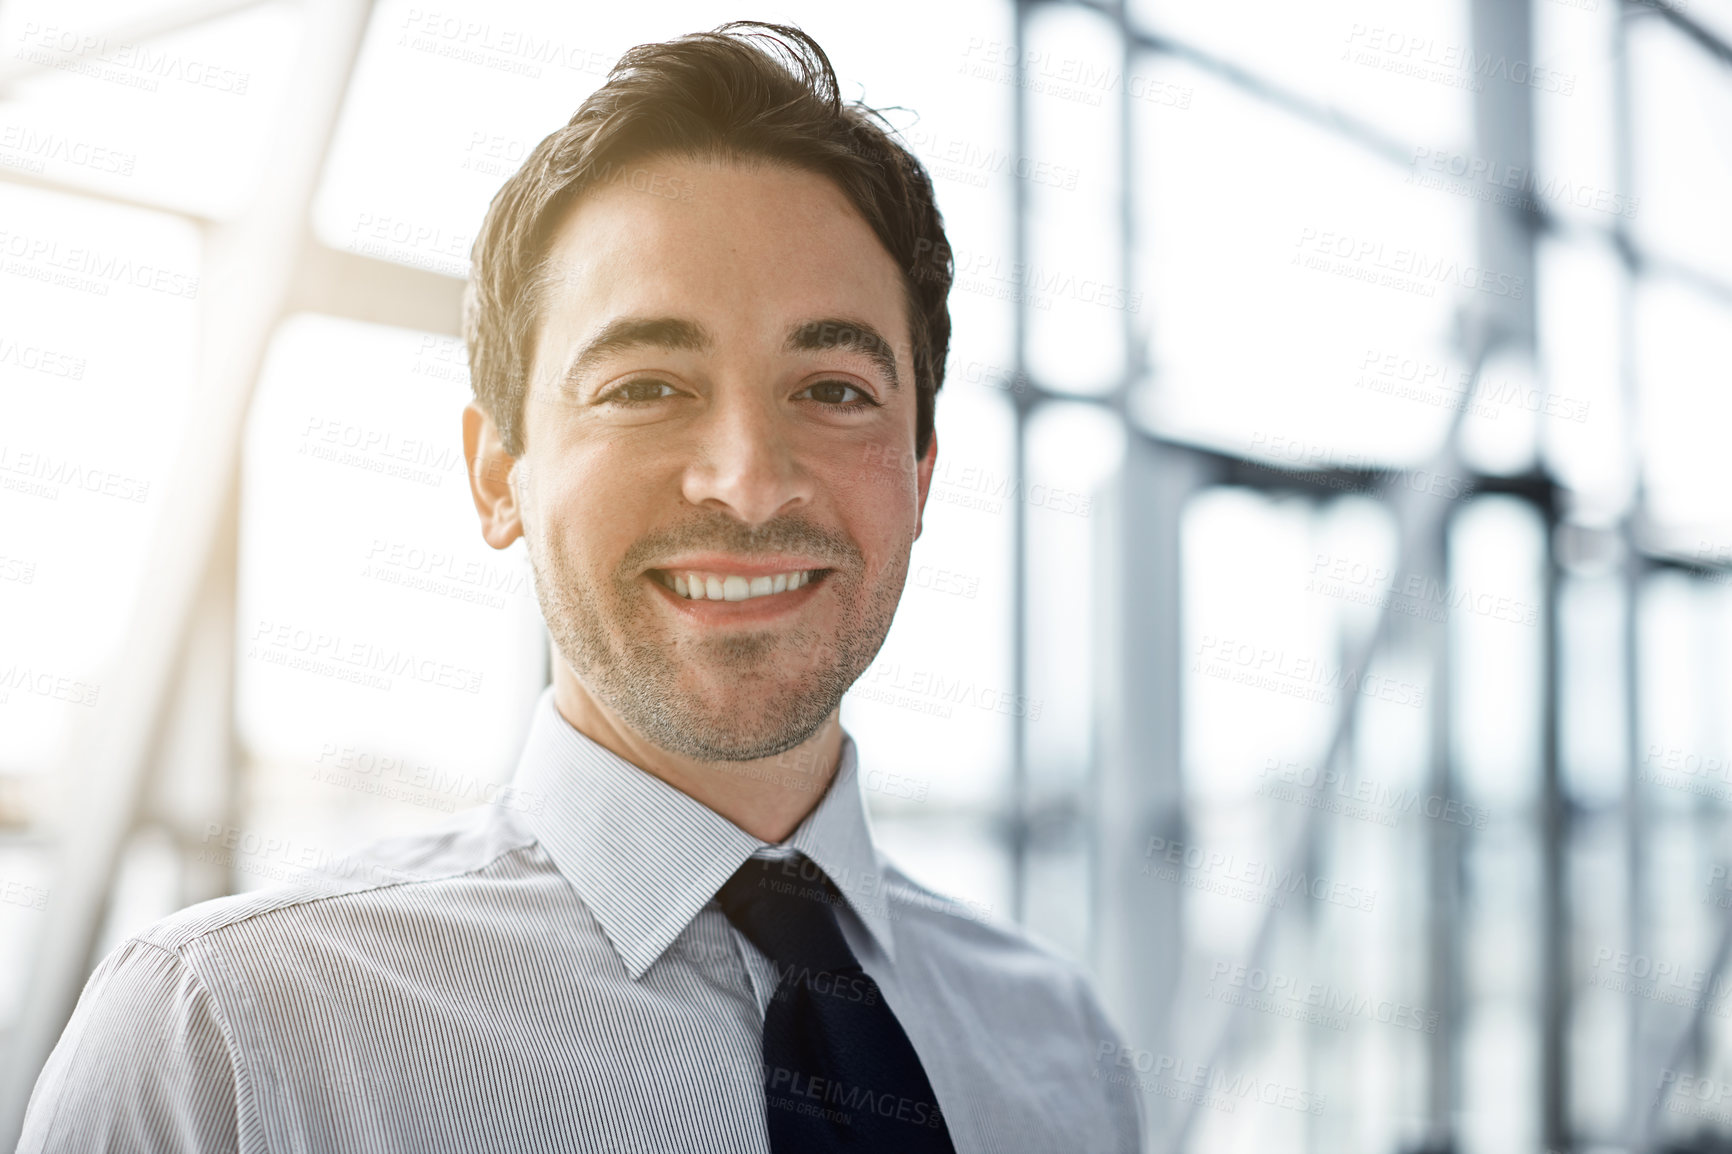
{"x":249,"y":268}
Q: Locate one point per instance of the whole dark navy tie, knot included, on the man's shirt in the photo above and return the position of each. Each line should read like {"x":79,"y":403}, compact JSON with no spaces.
{"x":839,"y":1072}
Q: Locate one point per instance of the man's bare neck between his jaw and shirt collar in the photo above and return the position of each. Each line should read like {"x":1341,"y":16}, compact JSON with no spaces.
{"x":768,"y":798}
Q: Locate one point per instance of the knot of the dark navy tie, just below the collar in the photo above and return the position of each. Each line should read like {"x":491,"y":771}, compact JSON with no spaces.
{"x":789,"y":911}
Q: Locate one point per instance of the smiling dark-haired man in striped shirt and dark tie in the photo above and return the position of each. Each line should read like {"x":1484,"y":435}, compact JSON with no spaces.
{"x":706,"y":328}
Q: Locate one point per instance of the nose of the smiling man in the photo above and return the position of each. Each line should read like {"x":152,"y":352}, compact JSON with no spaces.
{"x":746,"y":464}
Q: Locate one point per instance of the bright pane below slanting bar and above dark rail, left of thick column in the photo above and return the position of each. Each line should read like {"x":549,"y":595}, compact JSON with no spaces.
{"x":1300,"y":292}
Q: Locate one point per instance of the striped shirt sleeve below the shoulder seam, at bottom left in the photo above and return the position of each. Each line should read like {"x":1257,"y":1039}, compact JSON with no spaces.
{"x":143,"y":1065}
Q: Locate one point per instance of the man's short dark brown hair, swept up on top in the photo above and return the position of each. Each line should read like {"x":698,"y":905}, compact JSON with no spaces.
{"x":744,"y":91}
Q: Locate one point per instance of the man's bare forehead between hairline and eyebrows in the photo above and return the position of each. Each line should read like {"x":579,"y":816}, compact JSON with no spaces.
{"x":746,"y":249}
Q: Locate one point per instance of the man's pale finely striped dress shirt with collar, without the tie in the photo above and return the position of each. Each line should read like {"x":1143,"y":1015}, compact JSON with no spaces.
{"x":550,"y":973}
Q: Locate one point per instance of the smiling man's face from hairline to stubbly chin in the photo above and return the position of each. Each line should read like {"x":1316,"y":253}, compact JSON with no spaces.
{"x":720,"y":489}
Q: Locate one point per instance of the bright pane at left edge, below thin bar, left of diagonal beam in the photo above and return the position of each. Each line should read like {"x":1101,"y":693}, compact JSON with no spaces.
{"x":98,"y":358}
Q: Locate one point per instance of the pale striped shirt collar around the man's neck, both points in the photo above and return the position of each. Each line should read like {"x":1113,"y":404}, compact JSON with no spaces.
{"x":645,"y":859}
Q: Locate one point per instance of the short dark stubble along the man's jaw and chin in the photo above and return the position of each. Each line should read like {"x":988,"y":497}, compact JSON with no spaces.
{"x":744,"y":704}
